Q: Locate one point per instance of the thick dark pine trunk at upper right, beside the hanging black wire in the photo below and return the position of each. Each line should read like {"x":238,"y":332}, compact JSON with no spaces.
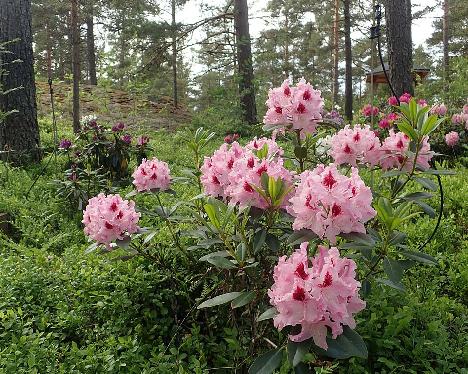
{"x":398,"y":19}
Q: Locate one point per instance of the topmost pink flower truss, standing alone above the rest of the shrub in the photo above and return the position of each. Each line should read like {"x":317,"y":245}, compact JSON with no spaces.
{"x":299,"y":106}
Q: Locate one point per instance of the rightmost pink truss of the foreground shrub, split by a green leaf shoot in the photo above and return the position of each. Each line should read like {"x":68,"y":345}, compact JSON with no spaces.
{"x":394,"y":152}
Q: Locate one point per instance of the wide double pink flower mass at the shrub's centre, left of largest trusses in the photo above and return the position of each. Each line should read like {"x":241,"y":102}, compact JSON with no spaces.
{"x":234,"y":172}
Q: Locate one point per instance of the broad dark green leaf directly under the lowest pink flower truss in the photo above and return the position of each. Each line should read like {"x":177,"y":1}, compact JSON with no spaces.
{"x":348,"y":344}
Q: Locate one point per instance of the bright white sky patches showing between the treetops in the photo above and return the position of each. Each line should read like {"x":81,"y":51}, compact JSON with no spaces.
{"x":190,"y":13}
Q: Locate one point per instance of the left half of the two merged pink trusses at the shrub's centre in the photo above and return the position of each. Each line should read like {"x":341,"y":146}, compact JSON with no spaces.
{"x":215,"y":169}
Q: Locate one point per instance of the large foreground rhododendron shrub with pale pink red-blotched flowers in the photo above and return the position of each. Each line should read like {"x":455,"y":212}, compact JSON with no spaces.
{"x":275,"y":227}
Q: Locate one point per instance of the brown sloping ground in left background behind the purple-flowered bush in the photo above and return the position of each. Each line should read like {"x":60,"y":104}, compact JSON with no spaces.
{"x":113,"y":105}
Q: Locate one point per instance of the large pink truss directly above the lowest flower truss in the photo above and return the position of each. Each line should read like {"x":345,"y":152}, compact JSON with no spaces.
{"x":329,"y":203}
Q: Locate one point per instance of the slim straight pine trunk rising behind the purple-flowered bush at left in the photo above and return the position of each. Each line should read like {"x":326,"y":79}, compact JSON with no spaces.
{"x":75,"y":65}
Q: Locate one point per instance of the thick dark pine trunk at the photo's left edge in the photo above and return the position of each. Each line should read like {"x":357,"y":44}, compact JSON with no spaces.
{"x":19,"y":132}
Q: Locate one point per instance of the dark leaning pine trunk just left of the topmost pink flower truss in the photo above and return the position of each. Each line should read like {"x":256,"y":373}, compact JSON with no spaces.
{"x":244,"y":59}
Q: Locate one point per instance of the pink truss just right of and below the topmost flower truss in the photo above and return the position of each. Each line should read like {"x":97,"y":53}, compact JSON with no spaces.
{"x":358,"y":144}
